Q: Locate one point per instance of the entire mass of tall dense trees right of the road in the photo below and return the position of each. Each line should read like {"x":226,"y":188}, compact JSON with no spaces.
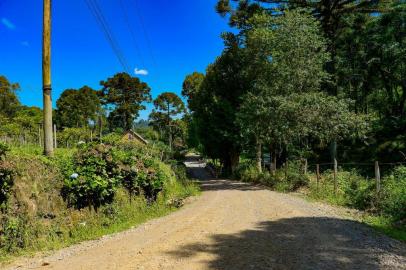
{"x":317,"y":80}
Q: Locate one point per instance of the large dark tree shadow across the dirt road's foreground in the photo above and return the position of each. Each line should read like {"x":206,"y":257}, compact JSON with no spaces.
{"x":300,"y":243}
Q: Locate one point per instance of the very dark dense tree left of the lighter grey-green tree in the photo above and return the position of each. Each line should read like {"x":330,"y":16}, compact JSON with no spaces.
{"x":216,"y":103}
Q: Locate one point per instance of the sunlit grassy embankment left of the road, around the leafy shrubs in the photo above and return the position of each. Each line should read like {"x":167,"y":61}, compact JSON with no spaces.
{"x":36,"y":217}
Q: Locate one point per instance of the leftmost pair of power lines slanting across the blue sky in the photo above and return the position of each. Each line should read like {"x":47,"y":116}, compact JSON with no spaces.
{"x":102,"y":22}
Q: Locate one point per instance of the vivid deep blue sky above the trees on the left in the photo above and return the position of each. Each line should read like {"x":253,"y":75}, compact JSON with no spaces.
{"x":182,"y":36}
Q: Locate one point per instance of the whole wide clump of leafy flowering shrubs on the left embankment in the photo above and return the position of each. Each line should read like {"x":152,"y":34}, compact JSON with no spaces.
{"x":98,"y":170}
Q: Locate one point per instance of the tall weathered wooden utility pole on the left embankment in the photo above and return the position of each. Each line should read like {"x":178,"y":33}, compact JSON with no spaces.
{"x":46,"y":79}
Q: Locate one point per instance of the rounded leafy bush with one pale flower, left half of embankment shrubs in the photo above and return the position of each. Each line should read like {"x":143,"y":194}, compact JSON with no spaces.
{"x":94,"y":177}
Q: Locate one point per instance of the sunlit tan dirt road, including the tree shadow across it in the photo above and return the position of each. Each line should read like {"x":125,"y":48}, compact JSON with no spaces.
{"x":236,"y":226}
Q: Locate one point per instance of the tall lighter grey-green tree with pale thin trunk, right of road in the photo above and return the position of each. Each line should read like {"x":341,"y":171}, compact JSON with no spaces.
{"x":288,"y":55}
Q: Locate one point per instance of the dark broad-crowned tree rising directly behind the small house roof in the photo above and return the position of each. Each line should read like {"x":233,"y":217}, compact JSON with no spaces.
{"x":124,"y":96}
